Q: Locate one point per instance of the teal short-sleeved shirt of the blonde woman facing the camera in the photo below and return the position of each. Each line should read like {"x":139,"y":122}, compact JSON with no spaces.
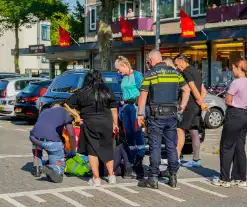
{"x":131,"y":85}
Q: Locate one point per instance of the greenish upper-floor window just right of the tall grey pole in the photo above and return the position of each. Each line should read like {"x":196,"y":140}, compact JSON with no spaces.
{"x":170,"y":9}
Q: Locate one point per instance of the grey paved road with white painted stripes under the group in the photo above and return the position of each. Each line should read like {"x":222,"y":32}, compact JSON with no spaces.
{"x":20,"y":189}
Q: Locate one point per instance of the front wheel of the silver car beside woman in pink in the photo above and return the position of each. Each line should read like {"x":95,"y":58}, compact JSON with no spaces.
{"x":213,"y":118}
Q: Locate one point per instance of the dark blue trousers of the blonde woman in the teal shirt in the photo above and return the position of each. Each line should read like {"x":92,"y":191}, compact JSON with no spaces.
{"x":133,"y":132}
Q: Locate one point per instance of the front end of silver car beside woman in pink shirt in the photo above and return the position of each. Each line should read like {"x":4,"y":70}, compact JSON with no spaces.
{"x":214,"y":117}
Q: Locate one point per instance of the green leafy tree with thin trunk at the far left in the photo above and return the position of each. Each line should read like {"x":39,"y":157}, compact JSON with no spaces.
{"x":15,"y":14}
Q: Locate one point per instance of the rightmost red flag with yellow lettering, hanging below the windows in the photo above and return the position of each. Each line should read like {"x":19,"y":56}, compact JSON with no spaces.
{"x":187,"y":25}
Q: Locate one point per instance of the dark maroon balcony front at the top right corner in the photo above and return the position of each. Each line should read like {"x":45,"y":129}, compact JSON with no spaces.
{"x":227,"y":13}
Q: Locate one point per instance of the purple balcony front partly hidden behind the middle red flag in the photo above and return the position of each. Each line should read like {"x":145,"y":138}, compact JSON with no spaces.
{"x":138,"y":23}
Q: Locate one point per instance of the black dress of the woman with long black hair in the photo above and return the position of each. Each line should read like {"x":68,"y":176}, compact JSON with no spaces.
{"x":97,"y":129}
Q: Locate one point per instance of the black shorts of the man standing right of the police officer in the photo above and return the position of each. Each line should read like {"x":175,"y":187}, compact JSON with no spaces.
{"x":191,"y":118}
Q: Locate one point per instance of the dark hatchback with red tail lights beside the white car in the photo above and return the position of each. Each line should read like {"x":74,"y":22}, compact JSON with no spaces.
{"x":25,"y":105}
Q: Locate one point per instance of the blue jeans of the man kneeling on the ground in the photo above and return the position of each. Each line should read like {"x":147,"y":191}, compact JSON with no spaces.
{"x":55,"y":151}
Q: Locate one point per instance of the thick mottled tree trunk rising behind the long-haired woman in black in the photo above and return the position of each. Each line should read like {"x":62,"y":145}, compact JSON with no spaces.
{"x":105,"y":32}
